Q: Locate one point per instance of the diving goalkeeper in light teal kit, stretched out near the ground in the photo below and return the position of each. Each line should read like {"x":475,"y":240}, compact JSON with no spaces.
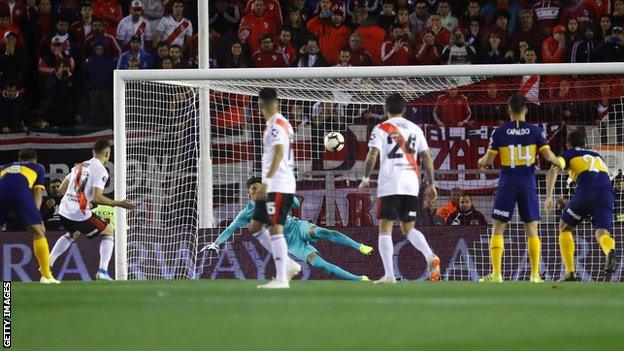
{"x":299,"y":236}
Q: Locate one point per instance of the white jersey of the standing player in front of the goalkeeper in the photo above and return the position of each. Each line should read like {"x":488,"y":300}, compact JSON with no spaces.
{"x":279,"y":132}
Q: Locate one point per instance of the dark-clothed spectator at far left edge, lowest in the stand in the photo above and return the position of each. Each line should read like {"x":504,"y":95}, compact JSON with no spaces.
{"x":13,"y":110}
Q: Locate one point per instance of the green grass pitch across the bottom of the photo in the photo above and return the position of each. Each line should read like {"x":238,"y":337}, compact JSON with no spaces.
{"x":317,"y":315}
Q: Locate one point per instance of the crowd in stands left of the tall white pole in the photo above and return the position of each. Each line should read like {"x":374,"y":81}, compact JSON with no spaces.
{"x":57,"y":56}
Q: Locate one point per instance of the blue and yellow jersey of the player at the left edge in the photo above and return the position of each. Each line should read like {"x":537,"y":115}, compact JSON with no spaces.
{"x":22,"y":175}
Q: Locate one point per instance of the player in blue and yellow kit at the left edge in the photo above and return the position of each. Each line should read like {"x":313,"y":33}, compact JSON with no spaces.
{"x":21,"y":192}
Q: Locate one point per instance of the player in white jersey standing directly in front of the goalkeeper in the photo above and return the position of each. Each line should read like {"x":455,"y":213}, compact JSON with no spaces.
{"x":276,"y":193}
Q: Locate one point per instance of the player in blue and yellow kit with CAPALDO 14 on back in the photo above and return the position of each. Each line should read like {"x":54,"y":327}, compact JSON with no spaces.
{"x":517,"y":142}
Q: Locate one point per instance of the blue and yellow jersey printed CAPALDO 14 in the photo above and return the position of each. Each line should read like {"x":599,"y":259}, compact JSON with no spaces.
{"x":517,"y":144}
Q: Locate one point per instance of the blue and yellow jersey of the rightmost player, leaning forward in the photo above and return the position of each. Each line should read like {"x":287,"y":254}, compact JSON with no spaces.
{"x":586,"y":167}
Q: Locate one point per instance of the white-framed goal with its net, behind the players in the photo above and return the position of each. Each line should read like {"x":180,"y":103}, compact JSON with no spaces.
{"x":187,"y":141}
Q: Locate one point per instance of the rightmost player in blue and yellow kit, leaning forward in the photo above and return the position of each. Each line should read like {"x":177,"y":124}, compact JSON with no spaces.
{"x":593,"y":197}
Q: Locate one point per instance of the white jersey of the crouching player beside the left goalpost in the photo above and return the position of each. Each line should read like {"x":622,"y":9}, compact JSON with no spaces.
{"x":77,"y":201}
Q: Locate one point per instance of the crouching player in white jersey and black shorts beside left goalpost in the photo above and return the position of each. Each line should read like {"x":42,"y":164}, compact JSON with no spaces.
{"x":82,"y":188}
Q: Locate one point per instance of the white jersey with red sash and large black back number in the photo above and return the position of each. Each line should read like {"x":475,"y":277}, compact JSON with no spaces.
{"x":399,"y":142}
